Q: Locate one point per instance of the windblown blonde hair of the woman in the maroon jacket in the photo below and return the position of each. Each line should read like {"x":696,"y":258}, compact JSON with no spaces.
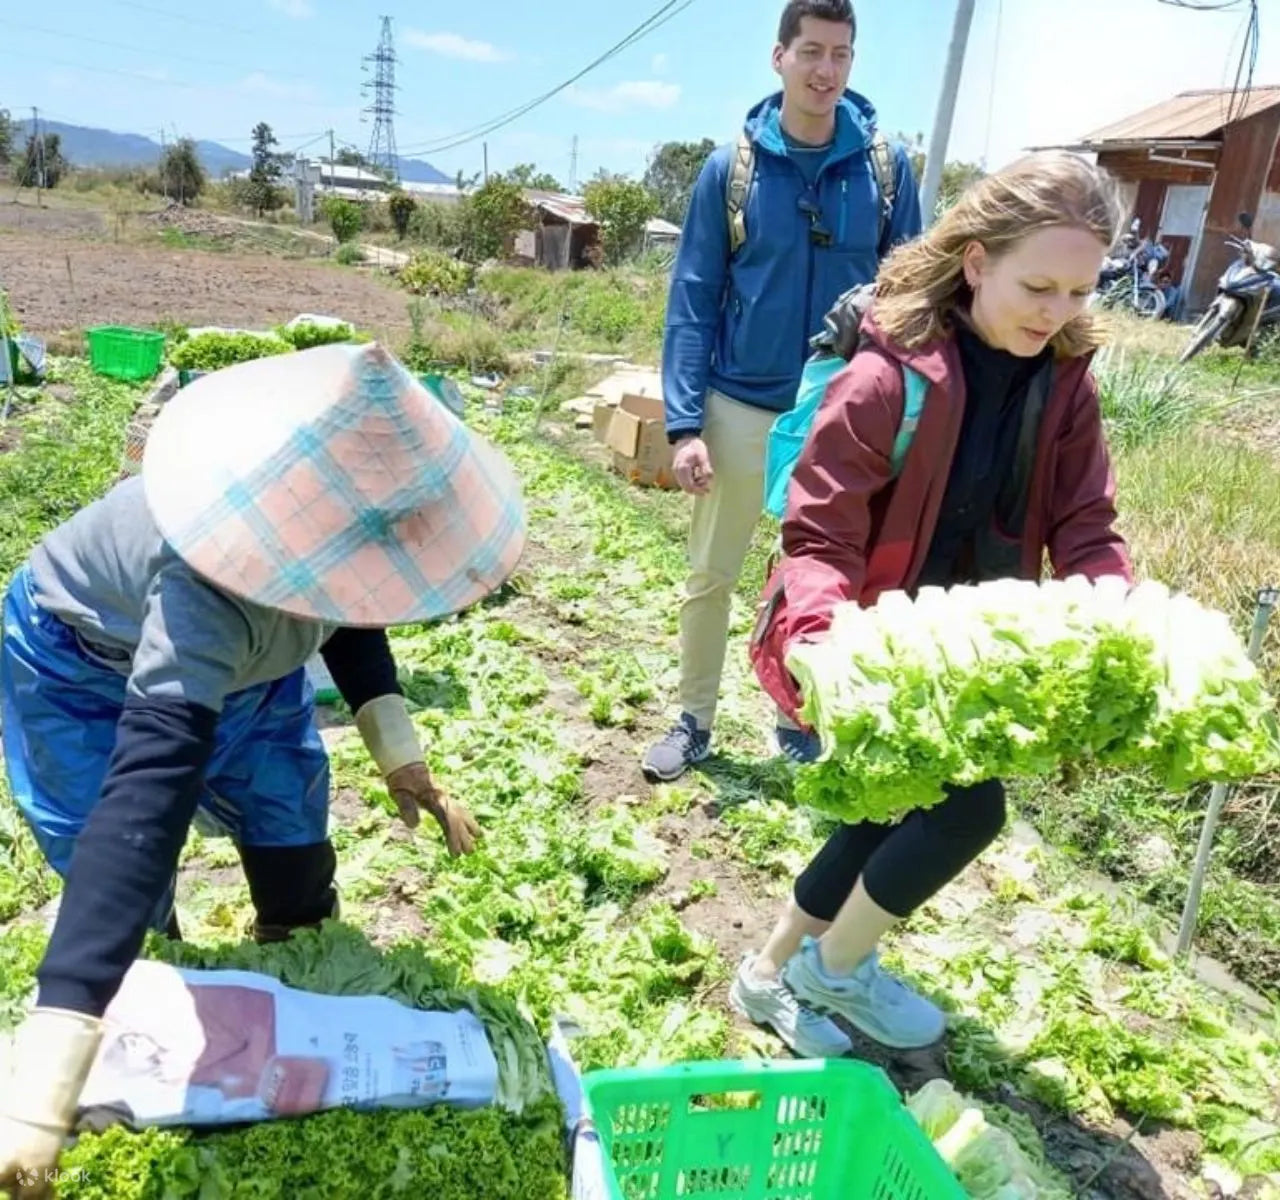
{"x":922,"y":285}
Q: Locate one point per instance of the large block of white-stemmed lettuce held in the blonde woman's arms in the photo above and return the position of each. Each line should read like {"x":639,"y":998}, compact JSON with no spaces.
{"x":1018,"y":679}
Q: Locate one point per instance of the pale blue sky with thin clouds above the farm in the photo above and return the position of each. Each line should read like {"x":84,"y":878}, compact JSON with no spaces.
{"x":213,"y":71}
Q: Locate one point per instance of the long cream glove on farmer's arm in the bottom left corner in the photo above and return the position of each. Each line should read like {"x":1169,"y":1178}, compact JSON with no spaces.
{"x":49,"y":1061}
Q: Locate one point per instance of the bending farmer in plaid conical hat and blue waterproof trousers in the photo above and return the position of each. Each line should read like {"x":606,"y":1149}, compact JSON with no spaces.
{"x":153,"y":666}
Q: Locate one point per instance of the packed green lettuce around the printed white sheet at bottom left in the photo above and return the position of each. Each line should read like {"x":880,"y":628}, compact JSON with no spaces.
{"x":513,"y":1151}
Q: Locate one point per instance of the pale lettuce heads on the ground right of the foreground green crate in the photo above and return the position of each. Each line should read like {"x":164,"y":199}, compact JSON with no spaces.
{"x":991,"y":1162}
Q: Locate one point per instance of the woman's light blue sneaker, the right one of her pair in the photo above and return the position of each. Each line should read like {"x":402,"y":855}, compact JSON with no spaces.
{"x":871,"y":1000}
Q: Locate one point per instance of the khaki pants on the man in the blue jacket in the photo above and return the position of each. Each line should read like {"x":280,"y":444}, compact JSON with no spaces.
{"x":720,"y":535}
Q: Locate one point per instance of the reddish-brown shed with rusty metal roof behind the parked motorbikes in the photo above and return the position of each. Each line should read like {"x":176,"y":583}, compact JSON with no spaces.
{"x":1190,"y":167}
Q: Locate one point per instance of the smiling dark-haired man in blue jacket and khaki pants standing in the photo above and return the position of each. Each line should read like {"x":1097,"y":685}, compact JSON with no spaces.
{"x":780,"y":226}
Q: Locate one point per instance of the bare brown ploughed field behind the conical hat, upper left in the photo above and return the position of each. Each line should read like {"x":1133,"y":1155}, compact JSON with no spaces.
{"x":65,"y":273}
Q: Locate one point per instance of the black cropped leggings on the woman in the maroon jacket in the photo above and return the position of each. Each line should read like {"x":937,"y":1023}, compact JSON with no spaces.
{"x":903,"y":865}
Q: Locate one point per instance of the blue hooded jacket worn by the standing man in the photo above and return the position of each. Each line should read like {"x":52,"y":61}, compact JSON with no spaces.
{"x":742,"y":324}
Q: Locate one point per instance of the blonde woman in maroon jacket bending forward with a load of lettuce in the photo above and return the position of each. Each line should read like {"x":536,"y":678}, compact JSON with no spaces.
{"x":1008,"y":464}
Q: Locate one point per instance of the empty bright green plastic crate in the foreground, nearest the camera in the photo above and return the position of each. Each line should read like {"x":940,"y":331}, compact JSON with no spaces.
{"x":804,"y":1130}
